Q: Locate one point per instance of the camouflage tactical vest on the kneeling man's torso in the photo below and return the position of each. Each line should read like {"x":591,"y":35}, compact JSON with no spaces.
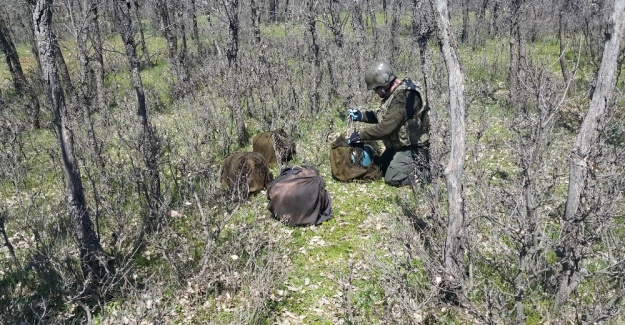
{"x":415,"y":131}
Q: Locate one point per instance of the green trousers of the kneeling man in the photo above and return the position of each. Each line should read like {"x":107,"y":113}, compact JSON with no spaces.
{"x":403,"y":166}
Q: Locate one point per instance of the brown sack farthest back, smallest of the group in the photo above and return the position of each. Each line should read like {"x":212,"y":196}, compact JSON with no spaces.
{"x":275,"y":146}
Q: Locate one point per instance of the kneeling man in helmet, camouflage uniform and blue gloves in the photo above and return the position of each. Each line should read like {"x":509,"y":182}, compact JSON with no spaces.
{"x":401,"y":123}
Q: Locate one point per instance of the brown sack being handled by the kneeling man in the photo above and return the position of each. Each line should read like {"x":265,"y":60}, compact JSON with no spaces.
{"x":346,"y":161}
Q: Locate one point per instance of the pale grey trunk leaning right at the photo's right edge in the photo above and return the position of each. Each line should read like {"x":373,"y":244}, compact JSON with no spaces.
{"x":582,"y":157}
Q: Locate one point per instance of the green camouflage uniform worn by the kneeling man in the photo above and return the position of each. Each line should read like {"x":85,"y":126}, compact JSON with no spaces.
{"x":406,"y":140}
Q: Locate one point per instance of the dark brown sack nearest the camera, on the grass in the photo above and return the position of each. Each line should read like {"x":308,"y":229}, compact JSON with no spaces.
{"x":298,"y":197}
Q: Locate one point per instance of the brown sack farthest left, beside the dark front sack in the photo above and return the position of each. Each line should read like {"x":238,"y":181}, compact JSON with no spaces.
{"x":244,"y":173}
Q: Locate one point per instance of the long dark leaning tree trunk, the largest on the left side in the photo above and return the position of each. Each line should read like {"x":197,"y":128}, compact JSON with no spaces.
{"x":90,"y":251}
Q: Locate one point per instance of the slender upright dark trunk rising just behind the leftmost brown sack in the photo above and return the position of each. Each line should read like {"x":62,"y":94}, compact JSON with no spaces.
{"x":232,"y":11}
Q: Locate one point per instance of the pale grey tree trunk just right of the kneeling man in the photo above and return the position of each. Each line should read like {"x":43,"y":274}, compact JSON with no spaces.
{"x":454,"y":251}
